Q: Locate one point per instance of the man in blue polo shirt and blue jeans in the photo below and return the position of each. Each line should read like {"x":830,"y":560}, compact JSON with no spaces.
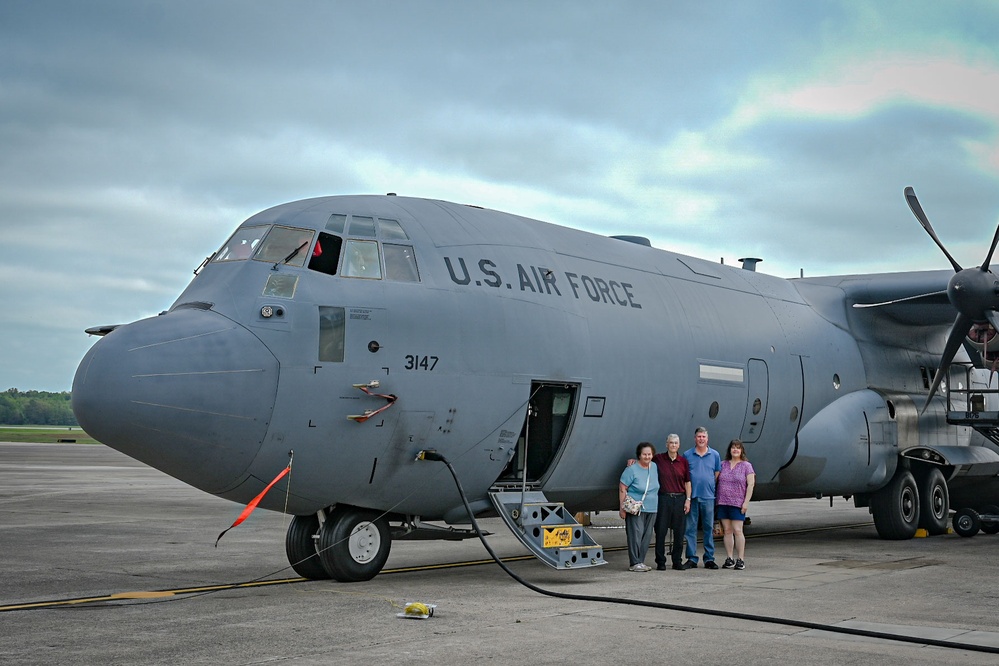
{"x":705,"y":465}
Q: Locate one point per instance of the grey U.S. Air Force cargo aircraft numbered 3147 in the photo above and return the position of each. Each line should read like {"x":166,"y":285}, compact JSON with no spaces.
{"x":353,"y":333}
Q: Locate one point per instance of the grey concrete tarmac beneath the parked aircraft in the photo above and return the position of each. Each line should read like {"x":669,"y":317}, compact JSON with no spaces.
{"x":105,"y":560}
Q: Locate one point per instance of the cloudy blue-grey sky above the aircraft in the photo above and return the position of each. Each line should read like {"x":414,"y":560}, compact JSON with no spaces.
{"x":135,"y":136}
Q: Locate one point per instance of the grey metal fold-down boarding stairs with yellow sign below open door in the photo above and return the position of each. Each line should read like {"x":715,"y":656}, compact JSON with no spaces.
{"x":547,"y":529}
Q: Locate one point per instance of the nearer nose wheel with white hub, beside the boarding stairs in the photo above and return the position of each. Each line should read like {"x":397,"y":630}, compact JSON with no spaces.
{"x":354,"y":544}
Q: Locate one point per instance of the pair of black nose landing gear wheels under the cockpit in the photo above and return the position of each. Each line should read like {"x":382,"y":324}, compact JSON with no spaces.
{"x":349,"y":544}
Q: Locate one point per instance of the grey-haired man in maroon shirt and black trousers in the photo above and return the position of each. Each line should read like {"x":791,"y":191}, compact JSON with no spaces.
{"x":674,"y":501}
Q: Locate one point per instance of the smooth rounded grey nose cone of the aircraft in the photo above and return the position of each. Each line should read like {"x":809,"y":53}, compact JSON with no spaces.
{"x":189,"y":392}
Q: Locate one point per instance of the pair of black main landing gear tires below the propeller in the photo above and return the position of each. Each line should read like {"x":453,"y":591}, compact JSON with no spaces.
{"x":911,"y":500}
